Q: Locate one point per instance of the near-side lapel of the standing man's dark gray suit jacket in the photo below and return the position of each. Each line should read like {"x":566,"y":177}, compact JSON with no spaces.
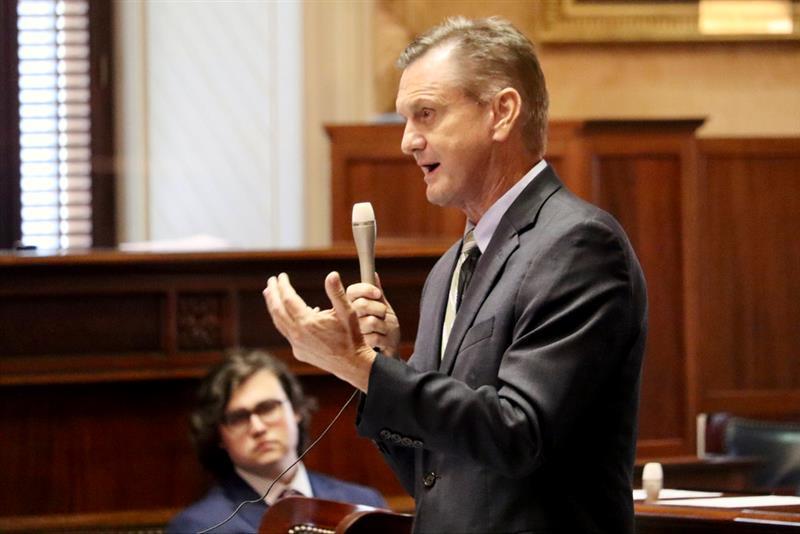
{"x":520,"y":216}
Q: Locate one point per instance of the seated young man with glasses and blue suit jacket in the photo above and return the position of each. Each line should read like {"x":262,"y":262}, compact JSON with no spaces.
{"x":251,"y":423}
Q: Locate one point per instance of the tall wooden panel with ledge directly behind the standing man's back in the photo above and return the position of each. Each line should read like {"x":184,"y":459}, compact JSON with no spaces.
{"x":637,"y":173}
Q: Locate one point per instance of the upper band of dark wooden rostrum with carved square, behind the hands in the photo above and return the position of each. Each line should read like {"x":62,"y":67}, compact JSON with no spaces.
{"x":181,"y":309}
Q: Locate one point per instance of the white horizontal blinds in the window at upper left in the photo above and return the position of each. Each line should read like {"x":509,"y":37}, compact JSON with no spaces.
{"x":55,"y":126}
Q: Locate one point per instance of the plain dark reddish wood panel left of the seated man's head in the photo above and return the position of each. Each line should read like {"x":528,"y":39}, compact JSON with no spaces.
{"x":96,"y":447}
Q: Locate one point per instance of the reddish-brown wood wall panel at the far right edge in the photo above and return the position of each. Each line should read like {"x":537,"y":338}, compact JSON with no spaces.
{"x":747,"y":221}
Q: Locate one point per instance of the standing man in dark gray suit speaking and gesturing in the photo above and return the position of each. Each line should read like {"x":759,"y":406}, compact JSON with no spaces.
{"x":517,"y":411}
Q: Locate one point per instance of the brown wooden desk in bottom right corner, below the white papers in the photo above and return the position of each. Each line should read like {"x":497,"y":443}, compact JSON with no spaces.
{"x":665,"y":519}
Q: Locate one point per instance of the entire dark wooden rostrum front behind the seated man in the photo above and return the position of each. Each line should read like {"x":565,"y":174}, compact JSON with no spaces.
{"x":101,"y":355}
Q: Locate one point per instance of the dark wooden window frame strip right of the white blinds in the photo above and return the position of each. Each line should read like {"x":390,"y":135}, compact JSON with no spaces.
{"x":102,"y":109}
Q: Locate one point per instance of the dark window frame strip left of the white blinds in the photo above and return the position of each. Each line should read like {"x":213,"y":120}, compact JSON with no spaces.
{"x":9,"y":127}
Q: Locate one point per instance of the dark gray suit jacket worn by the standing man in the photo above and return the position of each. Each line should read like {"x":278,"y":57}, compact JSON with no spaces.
{"x":529,"y":422}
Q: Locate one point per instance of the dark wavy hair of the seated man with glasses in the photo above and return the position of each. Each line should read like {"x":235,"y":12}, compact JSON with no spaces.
{"x":215,"y":391}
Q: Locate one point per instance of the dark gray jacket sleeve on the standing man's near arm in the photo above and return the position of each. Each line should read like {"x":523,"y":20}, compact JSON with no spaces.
{"x":571,"y":323}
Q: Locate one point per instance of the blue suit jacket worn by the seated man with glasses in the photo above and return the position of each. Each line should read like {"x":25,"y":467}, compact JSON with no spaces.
{"x":223,"y":499}
